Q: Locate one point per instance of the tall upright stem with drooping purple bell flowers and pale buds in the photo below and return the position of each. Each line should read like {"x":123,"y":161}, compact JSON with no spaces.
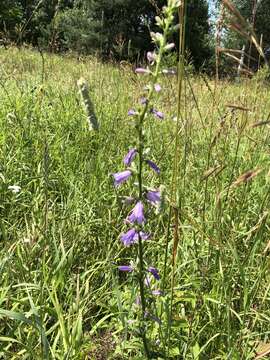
{"x":137,"y":214}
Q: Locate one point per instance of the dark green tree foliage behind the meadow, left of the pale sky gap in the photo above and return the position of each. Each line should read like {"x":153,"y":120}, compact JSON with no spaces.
{"x":114,"y":28}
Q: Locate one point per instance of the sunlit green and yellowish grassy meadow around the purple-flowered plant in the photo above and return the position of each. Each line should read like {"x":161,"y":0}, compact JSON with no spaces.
{"x":61,"y":294}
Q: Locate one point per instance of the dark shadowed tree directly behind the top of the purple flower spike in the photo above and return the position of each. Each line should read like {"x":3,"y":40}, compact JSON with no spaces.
{"x":124,"y":27}
